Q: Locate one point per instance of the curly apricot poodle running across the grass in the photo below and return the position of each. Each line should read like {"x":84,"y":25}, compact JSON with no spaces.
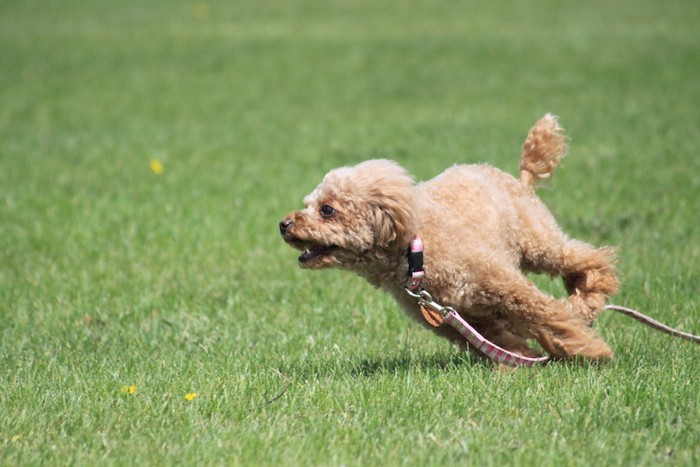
{"x":482,"y":229}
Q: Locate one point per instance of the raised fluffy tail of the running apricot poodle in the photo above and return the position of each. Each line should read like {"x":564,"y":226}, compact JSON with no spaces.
{"x":544,"y":147}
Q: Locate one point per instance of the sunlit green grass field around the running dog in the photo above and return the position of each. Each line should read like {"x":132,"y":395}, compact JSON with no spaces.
{"x":113,"y":275}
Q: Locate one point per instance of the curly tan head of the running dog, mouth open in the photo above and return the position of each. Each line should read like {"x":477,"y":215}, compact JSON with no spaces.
{"x":356,"y":212}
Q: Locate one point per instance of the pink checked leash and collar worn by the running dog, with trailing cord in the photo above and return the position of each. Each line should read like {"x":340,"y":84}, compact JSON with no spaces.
{"x":436,"y":314}
